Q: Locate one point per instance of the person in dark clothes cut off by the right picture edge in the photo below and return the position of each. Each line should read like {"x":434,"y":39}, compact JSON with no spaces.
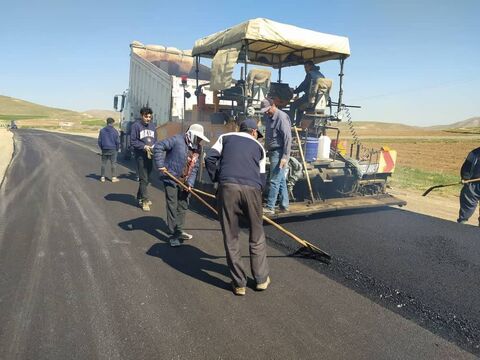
{"x":470,"y":194}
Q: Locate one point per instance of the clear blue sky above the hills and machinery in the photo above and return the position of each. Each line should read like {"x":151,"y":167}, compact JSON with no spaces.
{"x":413,"y":61}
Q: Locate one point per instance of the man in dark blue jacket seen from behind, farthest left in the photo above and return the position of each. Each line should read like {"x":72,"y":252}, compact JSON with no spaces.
{"x":109,"y":143}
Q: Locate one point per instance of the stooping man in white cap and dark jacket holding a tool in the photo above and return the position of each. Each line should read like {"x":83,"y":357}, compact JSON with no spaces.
{"x":179,"y":155}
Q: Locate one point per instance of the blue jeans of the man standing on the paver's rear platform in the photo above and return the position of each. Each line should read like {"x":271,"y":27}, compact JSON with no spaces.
{"x":278,"y":182}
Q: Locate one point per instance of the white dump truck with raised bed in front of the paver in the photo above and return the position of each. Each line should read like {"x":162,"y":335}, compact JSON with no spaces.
{"x":164,"y":79}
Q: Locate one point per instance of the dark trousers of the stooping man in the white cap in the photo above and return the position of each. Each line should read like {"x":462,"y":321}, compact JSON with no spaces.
{"x":177,"y":205}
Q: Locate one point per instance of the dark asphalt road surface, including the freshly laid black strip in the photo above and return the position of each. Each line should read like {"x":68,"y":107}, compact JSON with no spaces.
{"x":84,"y":274}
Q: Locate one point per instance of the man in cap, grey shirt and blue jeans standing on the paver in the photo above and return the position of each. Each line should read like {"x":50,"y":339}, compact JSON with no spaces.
{"x":278,"y":142}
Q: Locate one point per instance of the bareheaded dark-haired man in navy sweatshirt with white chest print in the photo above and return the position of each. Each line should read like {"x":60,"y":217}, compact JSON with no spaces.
{"x":142,"y":140}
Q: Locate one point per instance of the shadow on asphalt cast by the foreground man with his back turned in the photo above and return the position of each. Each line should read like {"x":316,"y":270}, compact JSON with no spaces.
{"x":192,"y":262}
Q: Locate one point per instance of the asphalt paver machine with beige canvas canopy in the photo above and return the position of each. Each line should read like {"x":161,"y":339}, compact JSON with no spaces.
{"x":322,"y":176}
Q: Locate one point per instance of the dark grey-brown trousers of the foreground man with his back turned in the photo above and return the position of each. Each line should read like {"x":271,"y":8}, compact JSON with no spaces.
{"x":234,"y":201}
